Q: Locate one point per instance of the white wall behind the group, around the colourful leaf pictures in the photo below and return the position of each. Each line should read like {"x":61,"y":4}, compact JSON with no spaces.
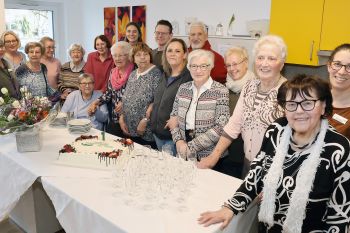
{"x":80,"y":21}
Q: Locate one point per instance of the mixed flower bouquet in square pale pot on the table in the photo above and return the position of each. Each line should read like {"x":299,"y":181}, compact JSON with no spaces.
{"x":23,"y":117}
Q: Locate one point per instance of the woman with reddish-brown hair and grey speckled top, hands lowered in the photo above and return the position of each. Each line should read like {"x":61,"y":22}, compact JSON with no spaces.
{"x":139,"y":96}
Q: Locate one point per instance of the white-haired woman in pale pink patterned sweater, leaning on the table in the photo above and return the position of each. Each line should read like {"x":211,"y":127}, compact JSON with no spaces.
{"x":257,"y":105}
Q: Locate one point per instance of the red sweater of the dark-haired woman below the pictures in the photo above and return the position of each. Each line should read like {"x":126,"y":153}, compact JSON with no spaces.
{"x":100,"y":70}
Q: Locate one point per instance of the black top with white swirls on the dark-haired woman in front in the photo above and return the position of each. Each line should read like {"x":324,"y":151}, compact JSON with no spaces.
{"x":328,"y":207}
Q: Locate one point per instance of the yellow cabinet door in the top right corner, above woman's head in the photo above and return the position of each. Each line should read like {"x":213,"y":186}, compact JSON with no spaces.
{"x":335,"y":24}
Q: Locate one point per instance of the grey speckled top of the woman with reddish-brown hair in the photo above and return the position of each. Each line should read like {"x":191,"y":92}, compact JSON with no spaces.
{"x":138,"y":95}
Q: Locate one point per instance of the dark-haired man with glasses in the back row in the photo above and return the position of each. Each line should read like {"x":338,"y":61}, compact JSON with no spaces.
{"x":162,"y":34}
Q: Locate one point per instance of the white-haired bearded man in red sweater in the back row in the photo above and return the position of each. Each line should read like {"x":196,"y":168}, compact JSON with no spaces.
{"x":198,"y":38}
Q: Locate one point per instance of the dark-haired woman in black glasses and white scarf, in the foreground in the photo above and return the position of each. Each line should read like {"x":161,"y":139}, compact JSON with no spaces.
{"x":302,"y":168}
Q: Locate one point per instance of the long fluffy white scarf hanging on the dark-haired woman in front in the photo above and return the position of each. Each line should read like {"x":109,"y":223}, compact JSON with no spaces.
{"x":304,"y":181}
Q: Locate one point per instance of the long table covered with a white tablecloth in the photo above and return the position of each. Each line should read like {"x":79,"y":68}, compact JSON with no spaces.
{"x":83,"y":199}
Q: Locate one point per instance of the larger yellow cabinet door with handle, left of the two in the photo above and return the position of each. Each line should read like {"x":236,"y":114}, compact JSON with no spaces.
{"x":298,"y":22}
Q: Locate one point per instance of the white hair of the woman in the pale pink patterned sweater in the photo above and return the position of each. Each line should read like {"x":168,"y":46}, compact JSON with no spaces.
{"x":273,"y":40}
